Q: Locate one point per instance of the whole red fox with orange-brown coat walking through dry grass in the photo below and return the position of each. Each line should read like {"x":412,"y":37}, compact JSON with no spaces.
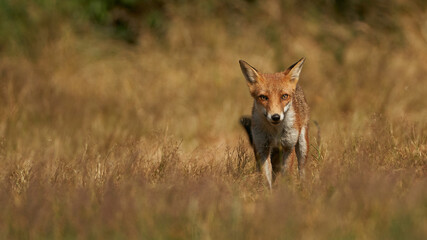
{"x":279,"y":119}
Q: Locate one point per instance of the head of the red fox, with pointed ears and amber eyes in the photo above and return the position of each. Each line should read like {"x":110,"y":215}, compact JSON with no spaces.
{"x":272,"y":92}
